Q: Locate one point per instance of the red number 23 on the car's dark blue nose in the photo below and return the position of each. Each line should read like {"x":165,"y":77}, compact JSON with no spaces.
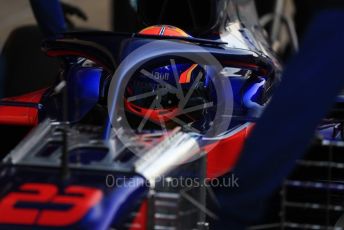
{"x":81,"y":199}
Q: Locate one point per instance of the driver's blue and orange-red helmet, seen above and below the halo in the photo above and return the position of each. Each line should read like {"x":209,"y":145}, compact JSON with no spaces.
{"x":157,"y":93}
